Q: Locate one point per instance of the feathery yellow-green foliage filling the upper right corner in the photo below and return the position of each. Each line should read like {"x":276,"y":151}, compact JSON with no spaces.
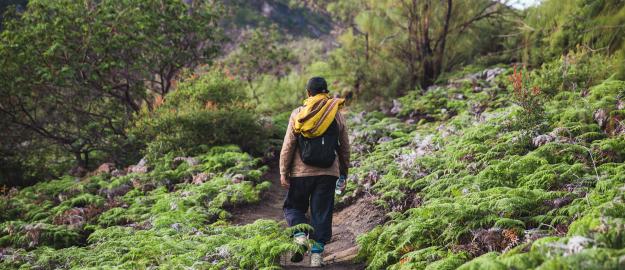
{"x":556,"y":27}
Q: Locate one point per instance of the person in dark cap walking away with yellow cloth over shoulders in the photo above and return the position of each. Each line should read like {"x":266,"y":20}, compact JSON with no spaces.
{"x":315,"y":153}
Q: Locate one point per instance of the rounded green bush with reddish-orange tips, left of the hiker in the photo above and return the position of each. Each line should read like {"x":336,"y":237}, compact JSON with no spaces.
{"x":208,"y":109}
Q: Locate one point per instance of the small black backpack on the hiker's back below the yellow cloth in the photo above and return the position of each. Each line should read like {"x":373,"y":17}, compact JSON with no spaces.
{"x":320,"y":151}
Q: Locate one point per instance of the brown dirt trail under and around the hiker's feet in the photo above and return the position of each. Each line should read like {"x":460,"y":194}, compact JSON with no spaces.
{"x":348,"y":223}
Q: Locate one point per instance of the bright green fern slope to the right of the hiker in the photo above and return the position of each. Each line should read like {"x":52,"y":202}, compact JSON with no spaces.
{"x":470,"y":183}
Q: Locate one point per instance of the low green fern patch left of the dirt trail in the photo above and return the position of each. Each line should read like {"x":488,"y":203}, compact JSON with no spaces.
{"x":157,"y":219}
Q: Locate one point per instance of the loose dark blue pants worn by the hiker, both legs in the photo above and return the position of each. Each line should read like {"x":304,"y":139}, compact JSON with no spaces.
{"x":318,"y":193}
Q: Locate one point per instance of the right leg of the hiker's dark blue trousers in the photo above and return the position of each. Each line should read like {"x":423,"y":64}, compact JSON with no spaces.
{"x":321,"y":208}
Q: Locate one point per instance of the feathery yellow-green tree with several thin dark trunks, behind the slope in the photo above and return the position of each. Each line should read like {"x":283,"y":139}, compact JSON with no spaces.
{"x":426,"y":37}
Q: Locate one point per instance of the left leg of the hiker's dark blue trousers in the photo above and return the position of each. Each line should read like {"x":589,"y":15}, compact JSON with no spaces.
{"x":297,"y":201}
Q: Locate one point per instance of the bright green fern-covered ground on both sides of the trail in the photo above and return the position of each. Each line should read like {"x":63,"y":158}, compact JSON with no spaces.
{"x":465,"y":185}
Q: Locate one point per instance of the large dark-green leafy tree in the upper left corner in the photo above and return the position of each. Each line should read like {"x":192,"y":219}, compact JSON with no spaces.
{"x":75,"y":72}
